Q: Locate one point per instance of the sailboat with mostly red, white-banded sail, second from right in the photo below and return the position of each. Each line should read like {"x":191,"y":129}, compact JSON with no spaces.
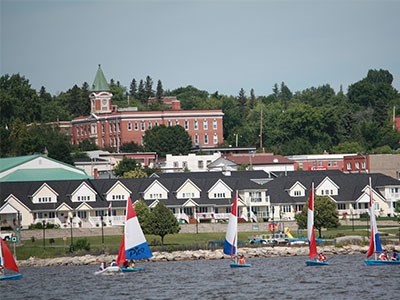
{"x":312,"y":244}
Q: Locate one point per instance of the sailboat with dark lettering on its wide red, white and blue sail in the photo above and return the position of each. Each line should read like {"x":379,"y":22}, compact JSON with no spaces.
{"x":133,"y":245}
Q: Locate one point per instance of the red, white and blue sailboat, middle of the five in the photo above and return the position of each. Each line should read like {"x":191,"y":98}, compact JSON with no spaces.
{"x":230,"y":244}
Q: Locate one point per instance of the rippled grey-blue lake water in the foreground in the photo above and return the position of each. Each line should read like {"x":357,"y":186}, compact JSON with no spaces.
{"x":268,"y":278}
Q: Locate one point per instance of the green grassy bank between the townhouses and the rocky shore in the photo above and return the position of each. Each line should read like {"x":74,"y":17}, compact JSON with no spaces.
{"x":183,"y":241}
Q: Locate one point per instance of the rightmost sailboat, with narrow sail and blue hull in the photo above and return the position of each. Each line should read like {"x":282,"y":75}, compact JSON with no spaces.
{"x":375,"y":245}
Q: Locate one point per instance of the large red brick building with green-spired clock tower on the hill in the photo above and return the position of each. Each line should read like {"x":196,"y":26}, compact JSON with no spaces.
{"x":108,"y":126}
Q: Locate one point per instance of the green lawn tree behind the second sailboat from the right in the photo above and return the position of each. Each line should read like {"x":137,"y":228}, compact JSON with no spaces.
{"x":325,"y":215}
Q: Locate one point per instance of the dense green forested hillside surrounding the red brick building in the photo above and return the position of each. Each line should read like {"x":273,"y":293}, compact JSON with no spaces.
{"x":303,"y":122}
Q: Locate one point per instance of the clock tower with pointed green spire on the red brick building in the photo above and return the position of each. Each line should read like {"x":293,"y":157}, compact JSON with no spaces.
{"x":100,"y":96}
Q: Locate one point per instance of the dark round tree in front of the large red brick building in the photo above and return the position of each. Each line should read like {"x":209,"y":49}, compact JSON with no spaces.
{"x":167,"y":140}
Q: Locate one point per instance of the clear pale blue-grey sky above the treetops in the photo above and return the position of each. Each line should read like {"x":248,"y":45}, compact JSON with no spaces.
{"x":215,"y":45}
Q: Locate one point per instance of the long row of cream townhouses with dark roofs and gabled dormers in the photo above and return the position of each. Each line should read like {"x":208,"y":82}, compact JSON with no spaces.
{"x":202,"y":196}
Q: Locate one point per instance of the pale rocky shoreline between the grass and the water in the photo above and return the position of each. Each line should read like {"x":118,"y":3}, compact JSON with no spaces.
{"x":199,"y":254}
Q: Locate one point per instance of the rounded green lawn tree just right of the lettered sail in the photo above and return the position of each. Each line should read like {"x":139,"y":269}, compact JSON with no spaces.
{"x":163,"y":222}
